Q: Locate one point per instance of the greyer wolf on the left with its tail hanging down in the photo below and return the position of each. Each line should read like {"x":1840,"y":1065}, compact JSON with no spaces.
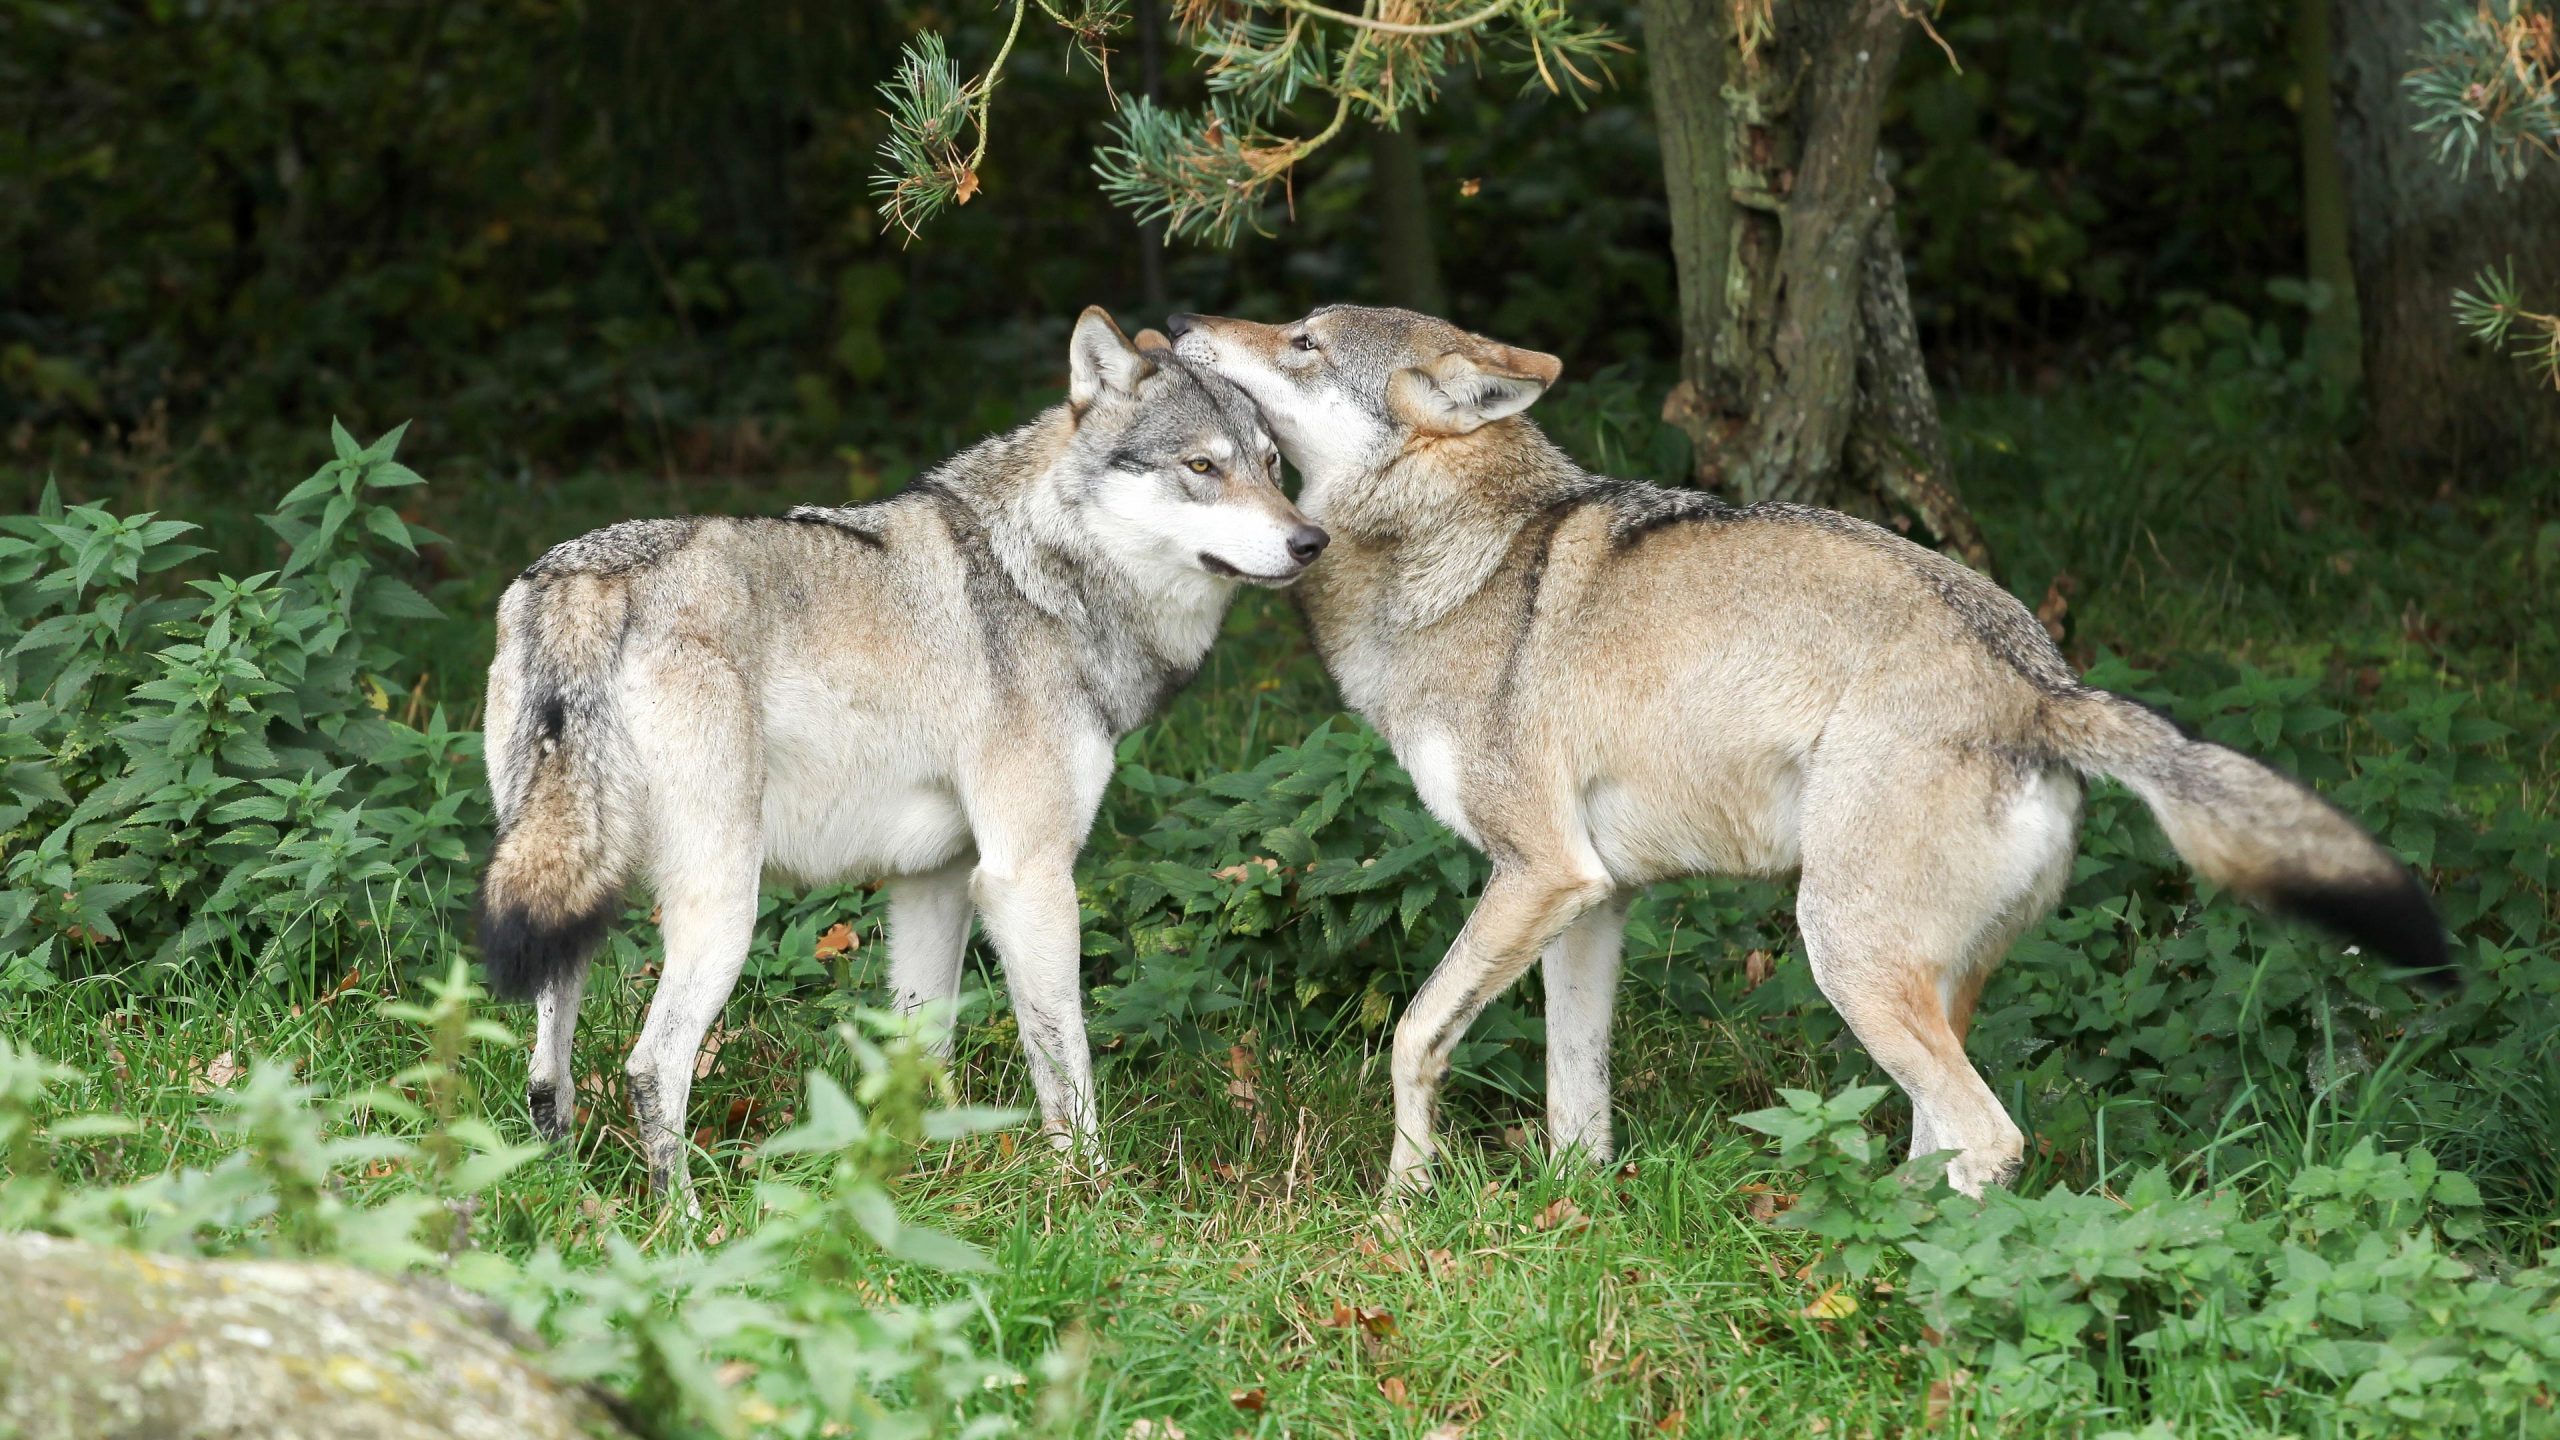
{"x":923,"y":691}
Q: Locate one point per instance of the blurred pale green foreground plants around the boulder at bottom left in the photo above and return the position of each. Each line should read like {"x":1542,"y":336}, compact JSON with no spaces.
{"x":764,"y":1334}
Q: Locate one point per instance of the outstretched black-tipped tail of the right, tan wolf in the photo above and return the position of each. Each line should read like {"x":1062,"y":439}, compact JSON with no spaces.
{"x":2259,"y":834}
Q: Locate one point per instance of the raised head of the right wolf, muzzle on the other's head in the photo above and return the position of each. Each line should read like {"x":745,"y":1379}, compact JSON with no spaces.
{"x":1350,"y":388}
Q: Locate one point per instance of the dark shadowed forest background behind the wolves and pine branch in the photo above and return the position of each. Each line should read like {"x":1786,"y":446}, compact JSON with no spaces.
{"x":639,"y":234}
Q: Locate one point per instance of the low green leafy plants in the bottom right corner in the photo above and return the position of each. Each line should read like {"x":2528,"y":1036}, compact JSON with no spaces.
{"x":2339,"y":1290}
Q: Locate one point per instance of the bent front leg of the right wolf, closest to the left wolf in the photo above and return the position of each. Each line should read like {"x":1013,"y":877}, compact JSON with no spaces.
{"x":1519,"y":913}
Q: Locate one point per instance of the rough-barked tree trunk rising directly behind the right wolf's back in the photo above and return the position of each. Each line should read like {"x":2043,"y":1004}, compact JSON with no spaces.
{"x":1801,"y":373}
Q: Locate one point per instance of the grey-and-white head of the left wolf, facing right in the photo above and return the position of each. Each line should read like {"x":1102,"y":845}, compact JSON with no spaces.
{"x":1179,"y":468}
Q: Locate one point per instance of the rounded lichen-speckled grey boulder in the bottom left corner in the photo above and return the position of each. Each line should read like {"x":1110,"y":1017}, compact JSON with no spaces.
{"x":114,"y":1344}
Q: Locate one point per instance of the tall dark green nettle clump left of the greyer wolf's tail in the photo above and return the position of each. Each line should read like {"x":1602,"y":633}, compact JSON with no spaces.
{"x":214,"y":770}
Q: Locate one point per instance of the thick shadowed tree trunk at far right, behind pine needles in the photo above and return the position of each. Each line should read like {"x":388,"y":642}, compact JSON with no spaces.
{"x":2436,"y":401}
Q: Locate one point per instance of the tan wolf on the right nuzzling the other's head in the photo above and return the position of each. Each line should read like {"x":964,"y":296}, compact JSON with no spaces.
{"x":1606,"y":685}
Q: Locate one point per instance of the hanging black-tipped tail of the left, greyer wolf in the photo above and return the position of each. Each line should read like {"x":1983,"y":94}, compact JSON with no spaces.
{"x":559,"y":775}
